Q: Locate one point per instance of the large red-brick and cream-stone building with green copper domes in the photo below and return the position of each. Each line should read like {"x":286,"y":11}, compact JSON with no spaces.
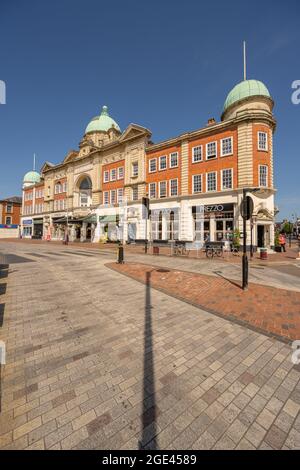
{"x":195,"y":181}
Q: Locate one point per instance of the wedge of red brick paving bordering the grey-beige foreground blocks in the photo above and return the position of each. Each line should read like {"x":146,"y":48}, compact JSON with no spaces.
{"x":273,"y":311}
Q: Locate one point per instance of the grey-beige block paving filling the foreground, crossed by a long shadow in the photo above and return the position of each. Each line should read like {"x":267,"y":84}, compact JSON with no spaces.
{"x":96,"y":360}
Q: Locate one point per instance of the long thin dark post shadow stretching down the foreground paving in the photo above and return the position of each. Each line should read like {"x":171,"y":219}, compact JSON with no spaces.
{"x":149,"y":404}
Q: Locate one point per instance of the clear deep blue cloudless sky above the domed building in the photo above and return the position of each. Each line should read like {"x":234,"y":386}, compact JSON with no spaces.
{"x":165,"y":64}
